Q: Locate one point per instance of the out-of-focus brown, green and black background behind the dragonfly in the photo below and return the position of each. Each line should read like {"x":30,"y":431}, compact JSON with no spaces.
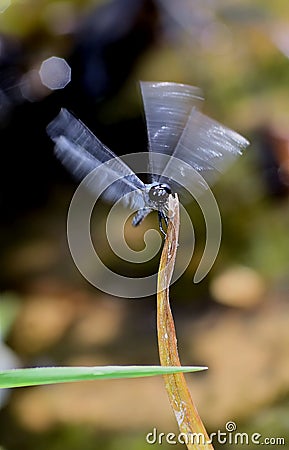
{"x":88,"y":56}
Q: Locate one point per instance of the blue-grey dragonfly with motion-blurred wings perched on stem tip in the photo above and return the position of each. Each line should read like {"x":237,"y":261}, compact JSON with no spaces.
{"x":176,"y":128}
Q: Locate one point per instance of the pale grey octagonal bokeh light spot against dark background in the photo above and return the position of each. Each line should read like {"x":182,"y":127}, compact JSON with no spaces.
{"x":55,"y":73}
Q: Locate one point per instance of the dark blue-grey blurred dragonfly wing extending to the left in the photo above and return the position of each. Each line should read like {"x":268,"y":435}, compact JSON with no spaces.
{"x":81,"y":152}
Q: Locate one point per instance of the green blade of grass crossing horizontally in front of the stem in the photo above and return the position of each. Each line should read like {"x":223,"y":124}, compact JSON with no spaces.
{"x":51,"y":375}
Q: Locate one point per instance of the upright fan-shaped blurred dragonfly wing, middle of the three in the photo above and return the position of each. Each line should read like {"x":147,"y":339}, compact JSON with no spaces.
{"x":167,"y":108}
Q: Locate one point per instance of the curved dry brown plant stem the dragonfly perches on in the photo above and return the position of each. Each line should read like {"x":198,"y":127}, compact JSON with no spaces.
{"x":189,"y":421}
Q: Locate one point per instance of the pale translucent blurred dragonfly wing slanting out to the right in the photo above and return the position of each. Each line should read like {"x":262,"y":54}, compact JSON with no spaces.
{"x":208,"y":147}
